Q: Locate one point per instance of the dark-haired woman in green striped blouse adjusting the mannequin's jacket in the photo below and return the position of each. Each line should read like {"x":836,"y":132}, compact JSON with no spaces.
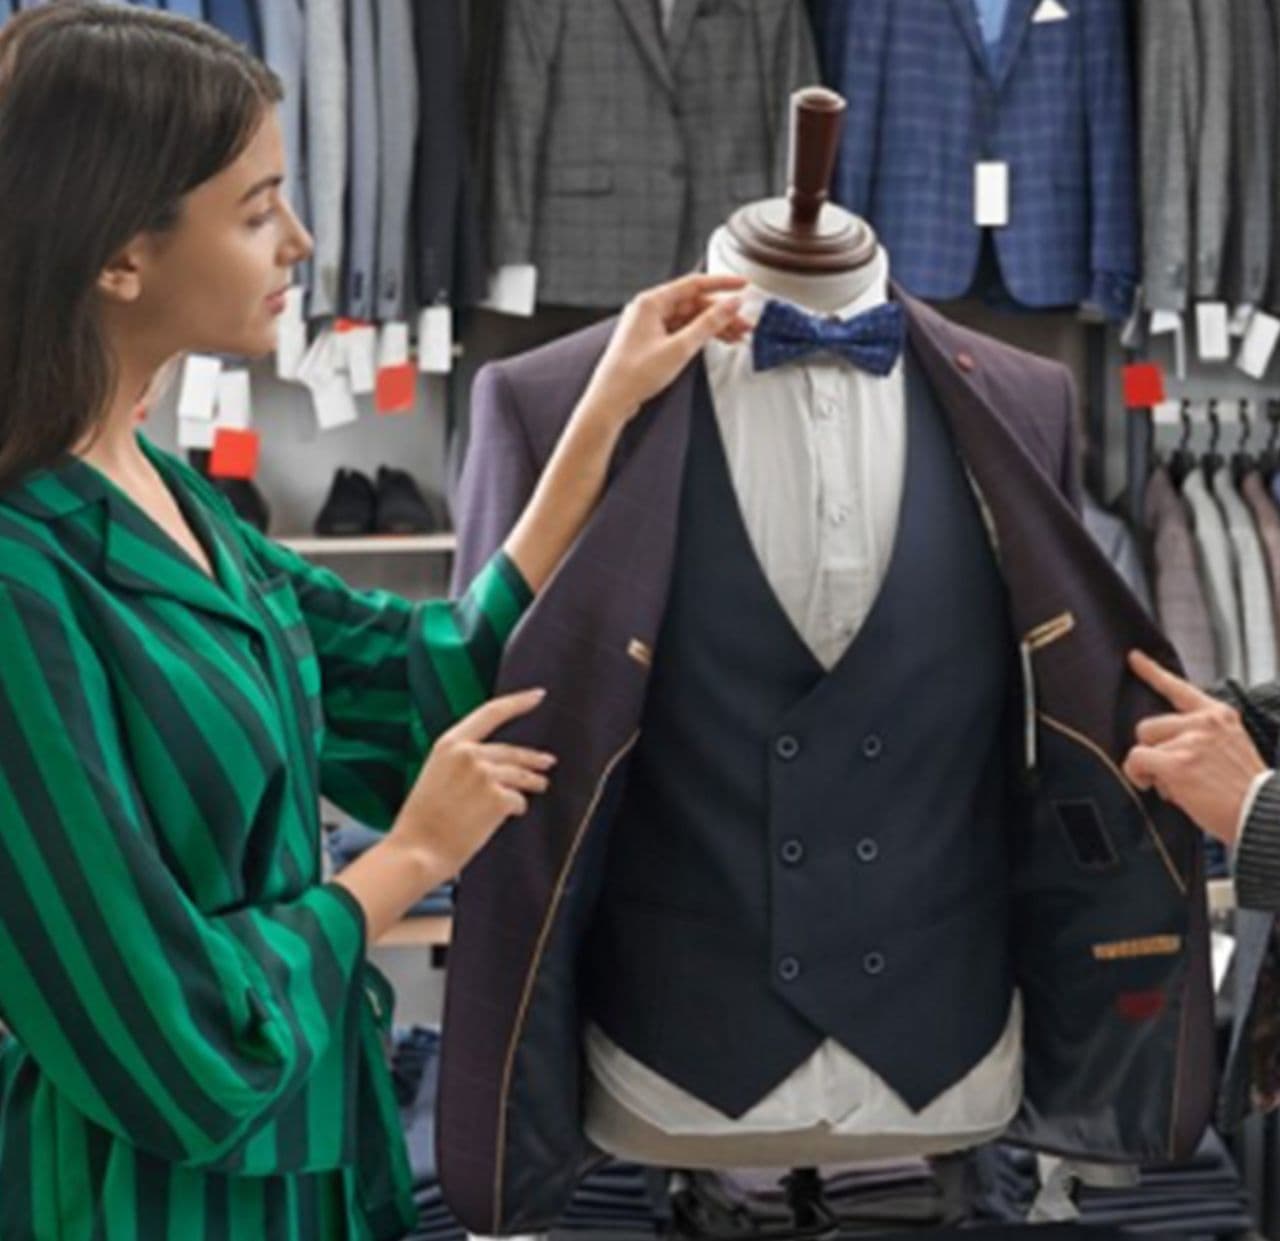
{"x":195,"y":1039}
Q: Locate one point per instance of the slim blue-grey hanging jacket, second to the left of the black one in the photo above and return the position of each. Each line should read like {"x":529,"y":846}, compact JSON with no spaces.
{"x":365,"y":136}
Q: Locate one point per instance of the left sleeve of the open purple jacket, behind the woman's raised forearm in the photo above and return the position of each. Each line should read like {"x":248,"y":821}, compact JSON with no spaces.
{"x":499,"y":478}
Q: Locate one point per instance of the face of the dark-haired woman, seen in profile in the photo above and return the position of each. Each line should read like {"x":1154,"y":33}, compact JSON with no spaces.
{"x":216,"y":282}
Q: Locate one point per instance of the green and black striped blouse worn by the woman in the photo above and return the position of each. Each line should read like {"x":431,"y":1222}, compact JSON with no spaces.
{"x":196,"y":1043}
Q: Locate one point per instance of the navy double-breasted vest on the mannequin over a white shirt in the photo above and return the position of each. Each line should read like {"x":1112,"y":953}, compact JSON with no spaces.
{"x":801,"y":855}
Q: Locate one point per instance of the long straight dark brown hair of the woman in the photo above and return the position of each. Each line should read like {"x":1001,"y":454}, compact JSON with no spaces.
{"x":109,"y":116}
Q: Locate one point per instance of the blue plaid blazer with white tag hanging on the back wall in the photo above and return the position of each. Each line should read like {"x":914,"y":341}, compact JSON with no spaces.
{"x":927,"y":102}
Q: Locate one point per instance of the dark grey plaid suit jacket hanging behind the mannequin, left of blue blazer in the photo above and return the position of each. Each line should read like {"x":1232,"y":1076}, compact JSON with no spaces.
{"x":619,"y":150}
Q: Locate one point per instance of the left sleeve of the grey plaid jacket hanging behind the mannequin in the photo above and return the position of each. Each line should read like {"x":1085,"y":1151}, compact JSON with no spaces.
{"x":529,"y":38}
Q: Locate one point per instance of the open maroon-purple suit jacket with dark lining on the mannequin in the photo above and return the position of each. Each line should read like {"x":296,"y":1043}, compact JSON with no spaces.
{"x":1112,"y":959}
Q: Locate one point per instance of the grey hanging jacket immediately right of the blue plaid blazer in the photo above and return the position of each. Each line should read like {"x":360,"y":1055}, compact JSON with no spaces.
{"x":1171,"y":81}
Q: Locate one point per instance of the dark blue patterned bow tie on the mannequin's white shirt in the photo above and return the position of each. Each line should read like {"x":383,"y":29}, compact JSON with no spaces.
{"x":872,"y":341}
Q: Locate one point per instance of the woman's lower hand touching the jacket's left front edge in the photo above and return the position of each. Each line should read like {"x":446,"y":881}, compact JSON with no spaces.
{"x":469,"y":787}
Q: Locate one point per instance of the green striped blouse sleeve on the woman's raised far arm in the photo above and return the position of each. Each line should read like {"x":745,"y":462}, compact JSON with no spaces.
{"x":396,"y":675}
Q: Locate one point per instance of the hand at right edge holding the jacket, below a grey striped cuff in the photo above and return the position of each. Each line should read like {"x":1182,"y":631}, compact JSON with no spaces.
{"x":1201,"y":759}
